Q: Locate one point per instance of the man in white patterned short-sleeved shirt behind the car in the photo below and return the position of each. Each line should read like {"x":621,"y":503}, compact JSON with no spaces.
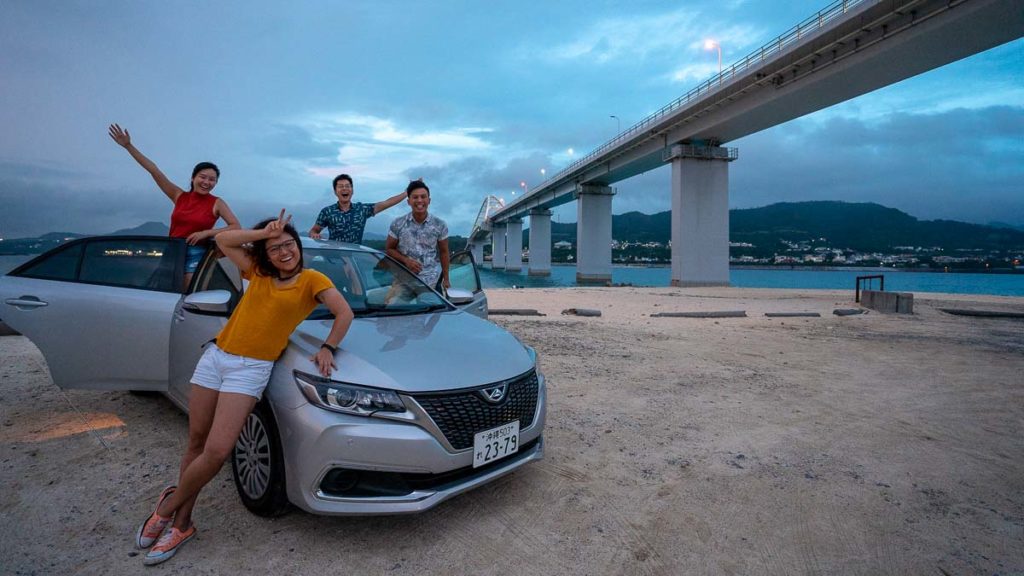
{"x":419,"y":240}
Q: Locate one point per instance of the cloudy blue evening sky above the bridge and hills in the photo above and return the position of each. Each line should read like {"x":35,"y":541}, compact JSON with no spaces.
{"x":474,"y":97}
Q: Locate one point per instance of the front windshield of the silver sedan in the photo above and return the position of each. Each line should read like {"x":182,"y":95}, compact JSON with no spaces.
{"x":372,"y":283}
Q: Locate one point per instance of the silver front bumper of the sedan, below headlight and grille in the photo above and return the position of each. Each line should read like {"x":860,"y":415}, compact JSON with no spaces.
{"x":353,"y":466}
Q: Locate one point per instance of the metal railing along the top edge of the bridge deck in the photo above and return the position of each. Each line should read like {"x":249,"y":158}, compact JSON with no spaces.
{"x":777,"y":47}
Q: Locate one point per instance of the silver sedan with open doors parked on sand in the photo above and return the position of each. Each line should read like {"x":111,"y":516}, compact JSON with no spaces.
{"x":430,"y":399}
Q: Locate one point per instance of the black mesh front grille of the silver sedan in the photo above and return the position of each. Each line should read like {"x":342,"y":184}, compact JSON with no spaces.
{"x":461,"y":415}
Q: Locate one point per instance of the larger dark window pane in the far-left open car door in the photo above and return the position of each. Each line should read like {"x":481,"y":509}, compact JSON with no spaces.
{"x":145,"y":264}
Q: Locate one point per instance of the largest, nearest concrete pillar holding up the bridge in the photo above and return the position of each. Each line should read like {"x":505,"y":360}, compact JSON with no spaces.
{"x":701,"y":216}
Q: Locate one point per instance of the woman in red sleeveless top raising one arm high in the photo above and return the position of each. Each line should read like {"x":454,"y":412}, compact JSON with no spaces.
{"x":197,"y":212}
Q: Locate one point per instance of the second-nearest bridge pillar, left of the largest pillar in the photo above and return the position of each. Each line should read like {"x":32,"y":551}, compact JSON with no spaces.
{"x":594,"y":234}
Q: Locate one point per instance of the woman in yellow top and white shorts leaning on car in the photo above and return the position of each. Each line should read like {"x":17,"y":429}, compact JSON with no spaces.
{"x":231,"y":377}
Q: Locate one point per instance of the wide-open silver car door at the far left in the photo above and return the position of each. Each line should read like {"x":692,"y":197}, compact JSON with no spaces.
{"x":100,"y":310}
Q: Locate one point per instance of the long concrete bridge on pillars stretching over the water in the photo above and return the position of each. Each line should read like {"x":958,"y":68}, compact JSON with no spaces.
{"x":849,"y":49}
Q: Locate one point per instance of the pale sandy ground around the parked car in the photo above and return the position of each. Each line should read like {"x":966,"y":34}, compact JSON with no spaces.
{"x":871,"y":444}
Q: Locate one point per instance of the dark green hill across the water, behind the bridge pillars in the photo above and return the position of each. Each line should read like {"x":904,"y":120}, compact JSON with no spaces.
{"x":865,"y":227}
